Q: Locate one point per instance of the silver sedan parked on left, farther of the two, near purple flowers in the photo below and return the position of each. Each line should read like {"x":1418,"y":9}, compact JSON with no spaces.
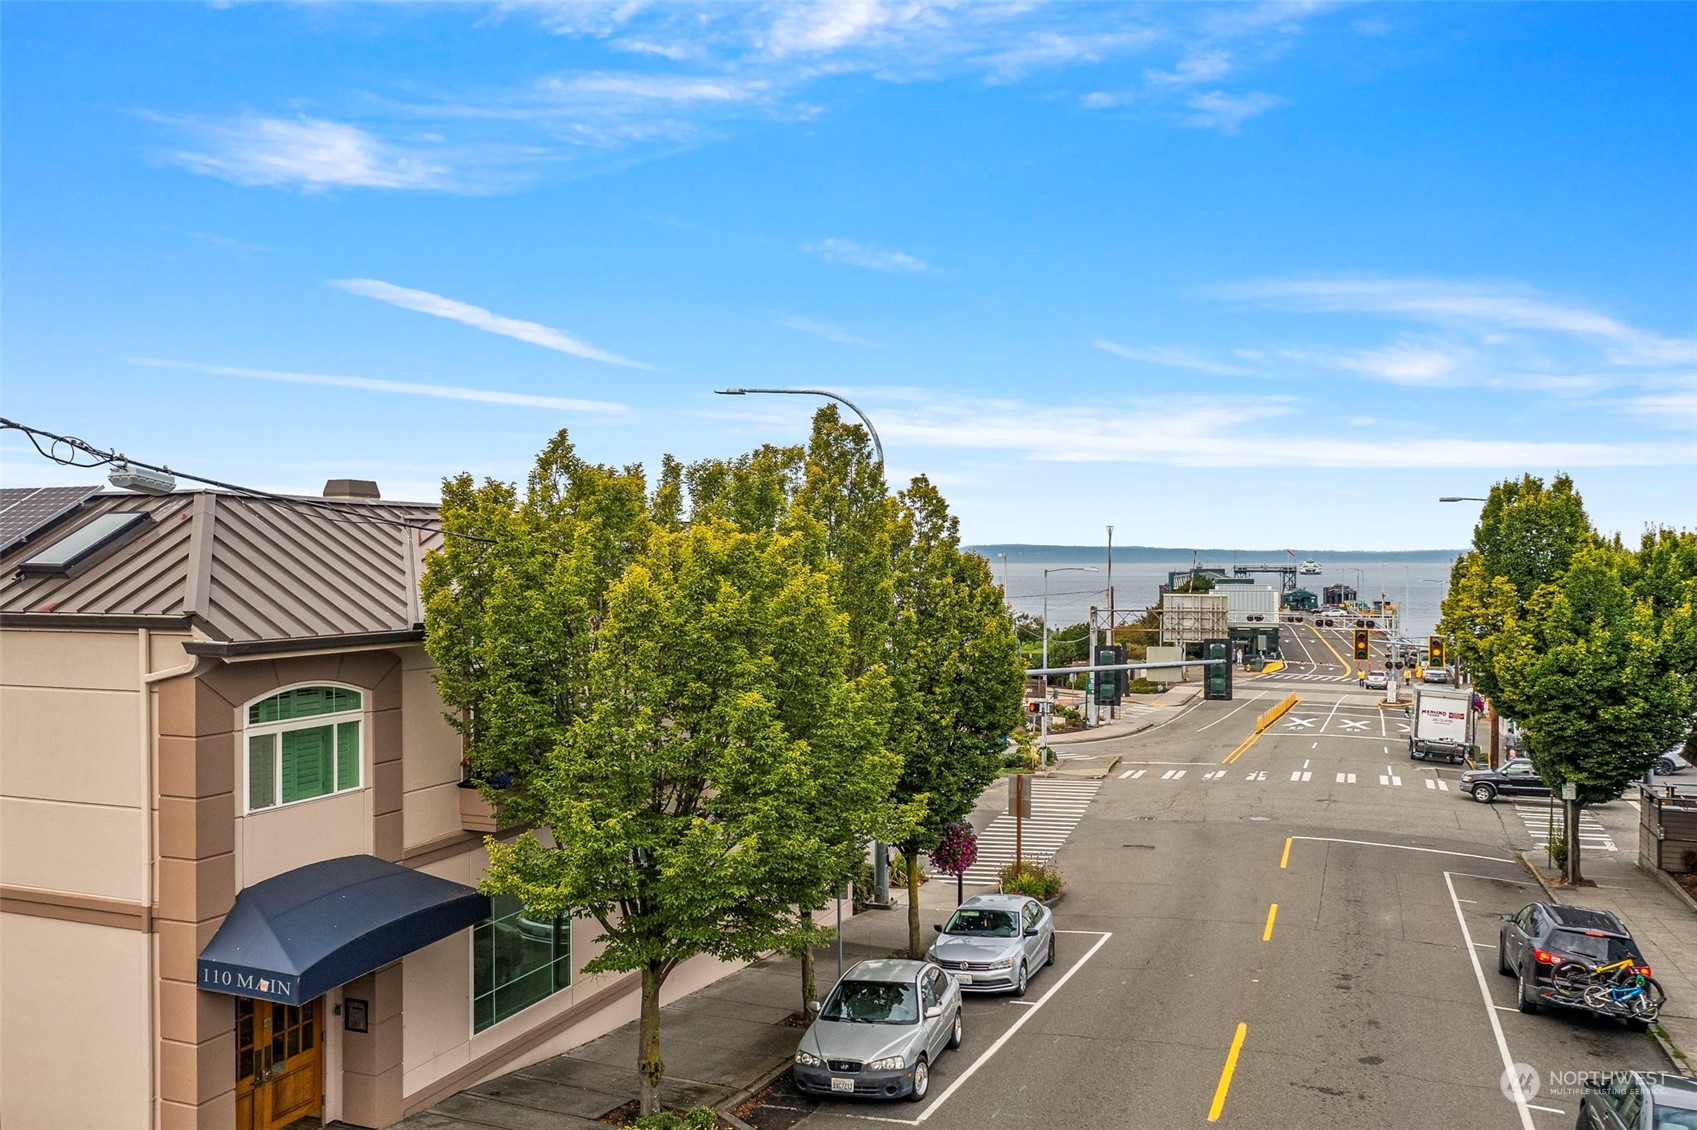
{"x":994,"y":943}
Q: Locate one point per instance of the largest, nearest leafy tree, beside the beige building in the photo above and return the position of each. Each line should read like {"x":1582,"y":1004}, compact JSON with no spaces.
{"x":671,"y":703}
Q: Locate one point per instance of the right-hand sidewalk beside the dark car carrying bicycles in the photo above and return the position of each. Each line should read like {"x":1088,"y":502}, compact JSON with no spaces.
{"x":1662,"y":926}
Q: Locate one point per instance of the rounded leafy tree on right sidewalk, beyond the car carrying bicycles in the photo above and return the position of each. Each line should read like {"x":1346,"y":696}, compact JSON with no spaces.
{"x":1599,"y":678}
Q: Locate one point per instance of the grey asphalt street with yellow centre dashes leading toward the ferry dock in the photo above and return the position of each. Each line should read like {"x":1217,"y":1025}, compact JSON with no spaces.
{"x":1297,"y":931}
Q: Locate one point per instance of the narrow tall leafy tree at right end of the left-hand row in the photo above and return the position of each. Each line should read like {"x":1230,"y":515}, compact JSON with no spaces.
{"x":956,"y":671}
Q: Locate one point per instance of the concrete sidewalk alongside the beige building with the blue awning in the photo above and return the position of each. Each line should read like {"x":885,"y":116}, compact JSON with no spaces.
{"x":720,"y":1044}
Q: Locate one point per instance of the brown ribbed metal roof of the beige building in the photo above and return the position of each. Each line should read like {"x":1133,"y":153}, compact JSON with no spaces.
{"x":244,"y":571}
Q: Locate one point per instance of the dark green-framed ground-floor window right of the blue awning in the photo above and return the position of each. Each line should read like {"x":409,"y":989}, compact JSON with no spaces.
{"x":517,"y":961}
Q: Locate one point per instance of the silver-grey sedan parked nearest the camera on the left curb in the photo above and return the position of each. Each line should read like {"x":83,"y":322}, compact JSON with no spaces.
{"x":880,"y":1031}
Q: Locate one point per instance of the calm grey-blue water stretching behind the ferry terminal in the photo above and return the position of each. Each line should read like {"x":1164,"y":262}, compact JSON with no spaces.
{"x":1416,"y":579}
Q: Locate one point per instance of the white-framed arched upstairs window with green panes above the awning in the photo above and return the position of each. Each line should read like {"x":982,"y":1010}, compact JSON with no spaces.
{"x":303,"y":744}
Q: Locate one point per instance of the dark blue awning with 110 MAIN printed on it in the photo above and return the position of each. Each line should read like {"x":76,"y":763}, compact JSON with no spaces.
{"x":313,"y":929}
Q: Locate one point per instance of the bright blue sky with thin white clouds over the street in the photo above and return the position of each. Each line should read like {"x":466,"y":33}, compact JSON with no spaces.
{"x":1213,"y":274}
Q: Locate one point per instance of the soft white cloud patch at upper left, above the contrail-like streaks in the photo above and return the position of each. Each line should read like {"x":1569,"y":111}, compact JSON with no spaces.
{"x":306,"y":154}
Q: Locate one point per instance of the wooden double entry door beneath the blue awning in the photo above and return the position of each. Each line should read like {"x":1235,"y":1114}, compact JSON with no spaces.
{"x":279,"y":1063}
